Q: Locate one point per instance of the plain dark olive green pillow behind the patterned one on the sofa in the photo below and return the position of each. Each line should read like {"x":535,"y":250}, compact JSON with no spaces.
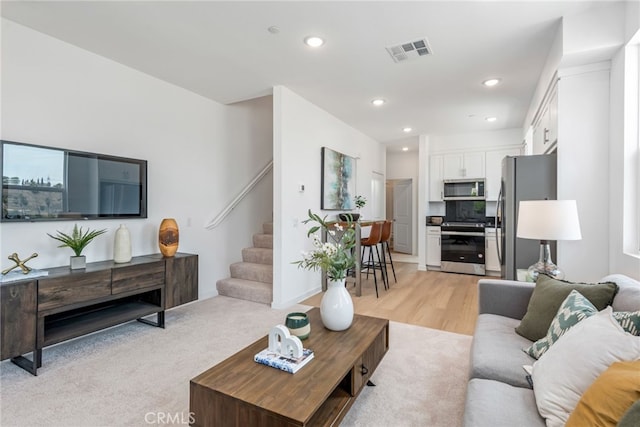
{"x":547,"y":297}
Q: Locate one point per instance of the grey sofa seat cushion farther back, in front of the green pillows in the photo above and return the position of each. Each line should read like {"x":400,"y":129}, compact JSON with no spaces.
{"x":496,"y":352}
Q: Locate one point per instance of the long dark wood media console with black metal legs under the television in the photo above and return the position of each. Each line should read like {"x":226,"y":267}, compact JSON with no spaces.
{"x":67,"y":303}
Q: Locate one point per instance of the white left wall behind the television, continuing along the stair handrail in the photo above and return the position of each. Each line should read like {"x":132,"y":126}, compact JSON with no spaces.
{"x":58,"y":95}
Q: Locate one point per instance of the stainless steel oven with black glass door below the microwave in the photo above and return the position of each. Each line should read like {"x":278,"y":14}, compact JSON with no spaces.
{"x":462,"y":248}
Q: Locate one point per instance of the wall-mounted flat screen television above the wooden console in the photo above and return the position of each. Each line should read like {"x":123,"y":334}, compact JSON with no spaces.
{"x":45,"y":183}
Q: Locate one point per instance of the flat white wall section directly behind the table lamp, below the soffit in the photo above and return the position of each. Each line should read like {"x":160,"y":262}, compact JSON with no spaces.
{"x":583,"y":167}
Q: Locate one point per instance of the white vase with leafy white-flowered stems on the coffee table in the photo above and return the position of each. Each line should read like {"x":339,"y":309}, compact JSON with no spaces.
{"x":335,"y":258}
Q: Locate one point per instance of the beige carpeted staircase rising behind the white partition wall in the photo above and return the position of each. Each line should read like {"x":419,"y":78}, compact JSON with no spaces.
{"x":252,"y":279}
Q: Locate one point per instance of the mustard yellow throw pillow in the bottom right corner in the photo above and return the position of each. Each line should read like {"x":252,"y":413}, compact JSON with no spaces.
{"x":609,"y":397}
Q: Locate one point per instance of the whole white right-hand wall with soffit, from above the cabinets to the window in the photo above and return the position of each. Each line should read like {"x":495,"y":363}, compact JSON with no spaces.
{"x":590,"y":143}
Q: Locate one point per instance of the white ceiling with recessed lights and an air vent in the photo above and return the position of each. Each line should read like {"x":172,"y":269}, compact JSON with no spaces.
{"x":223,"y":51}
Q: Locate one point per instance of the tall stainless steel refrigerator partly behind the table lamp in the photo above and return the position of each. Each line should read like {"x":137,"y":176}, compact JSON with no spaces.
{"x":523,"y":178}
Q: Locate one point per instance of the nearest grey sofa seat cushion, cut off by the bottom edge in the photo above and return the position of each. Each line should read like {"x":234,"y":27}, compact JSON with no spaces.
{"x":495,"y":404}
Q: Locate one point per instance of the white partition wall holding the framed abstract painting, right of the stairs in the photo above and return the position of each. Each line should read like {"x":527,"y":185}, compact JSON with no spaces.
{"x":300,"y":130}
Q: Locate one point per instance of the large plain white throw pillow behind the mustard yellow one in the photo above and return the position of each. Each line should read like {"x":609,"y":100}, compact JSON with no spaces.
{"x":568,"y":368}
